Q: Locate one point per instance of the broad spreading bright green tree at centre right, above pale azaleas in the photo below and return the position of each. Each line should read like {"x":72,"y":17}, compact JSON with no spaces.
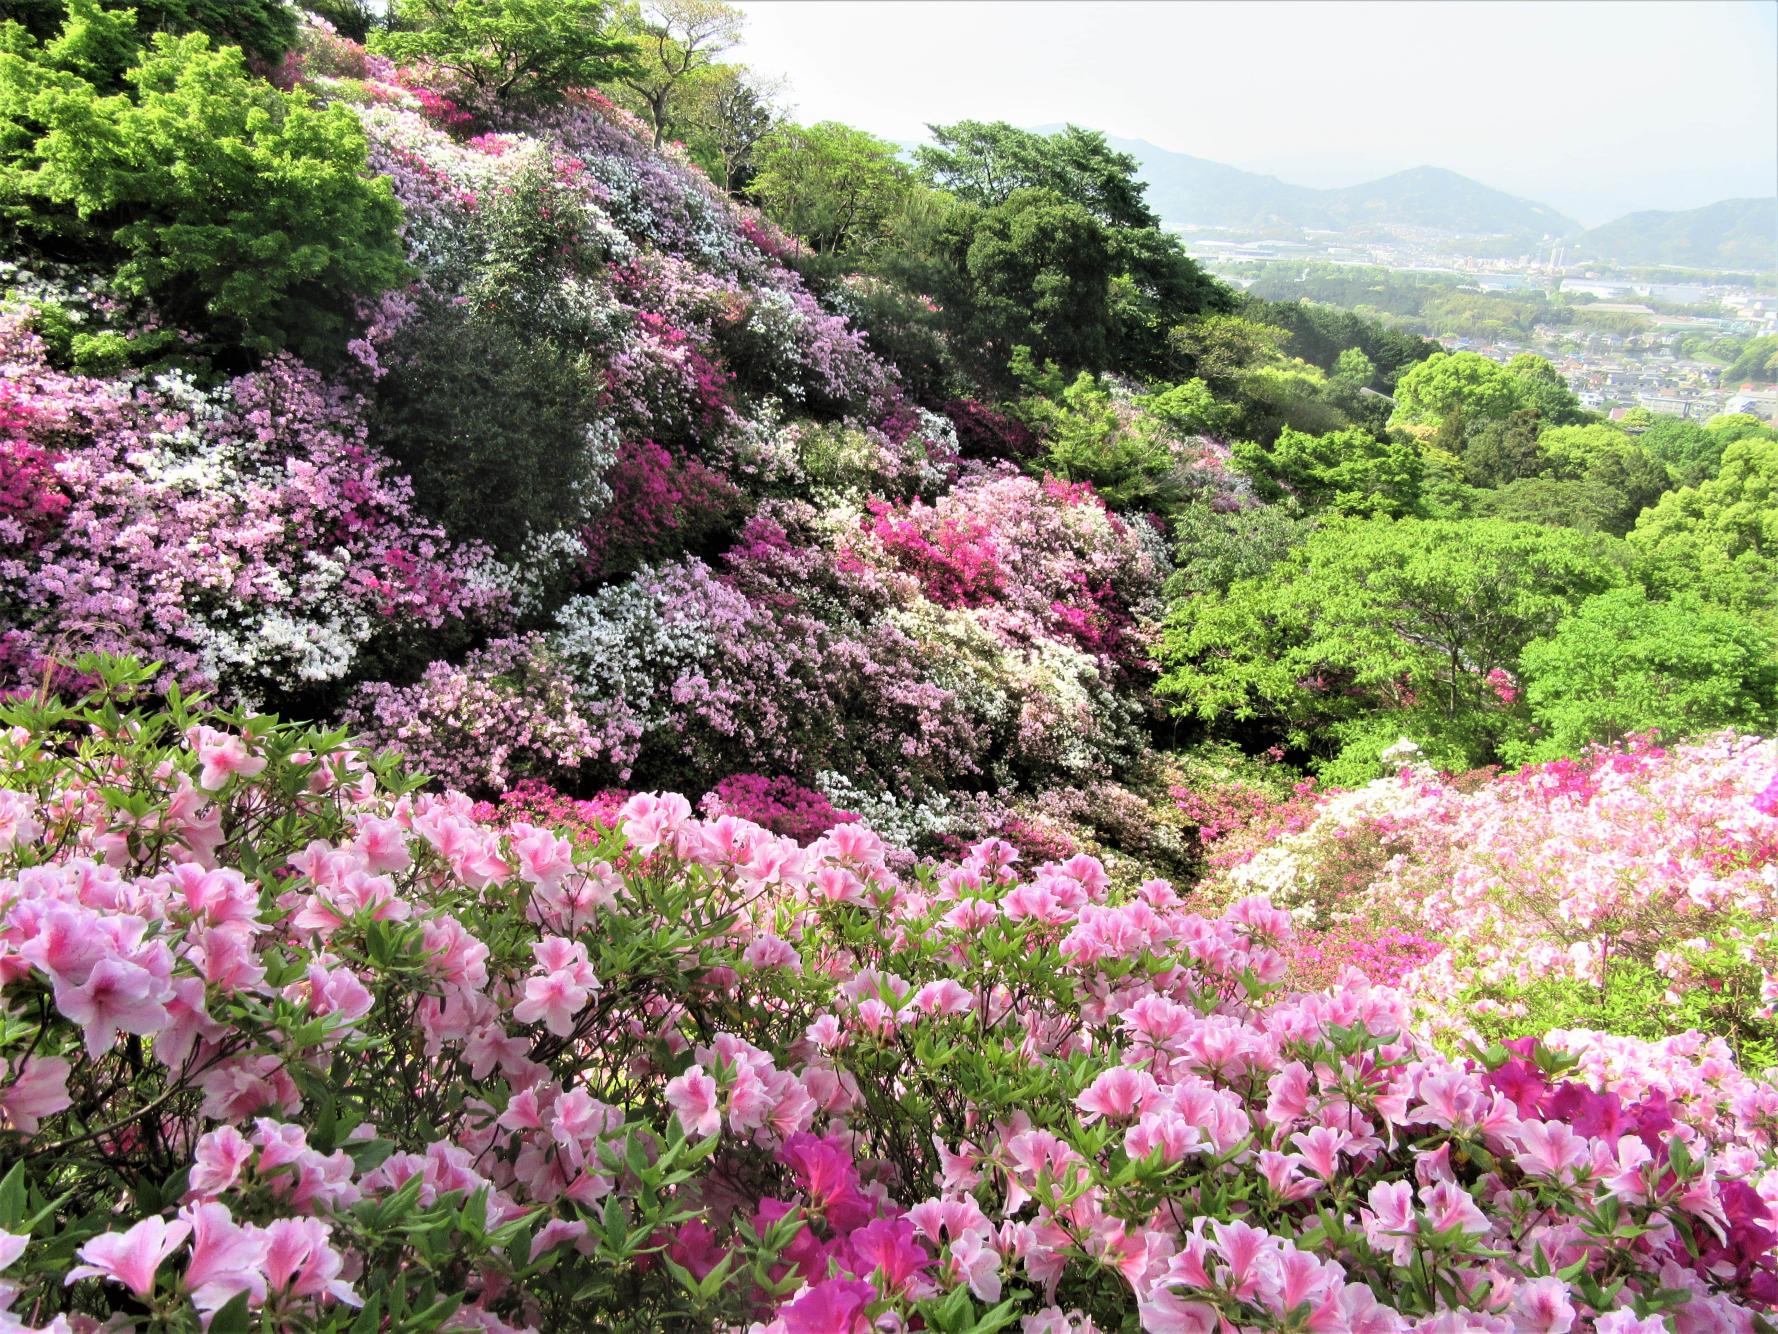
{"x":1372,"y":627}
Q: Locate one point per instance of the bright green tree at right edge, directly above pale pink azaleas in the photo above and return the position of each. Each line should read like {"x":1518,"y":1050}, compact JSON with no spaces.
{"x":1626,"y":664}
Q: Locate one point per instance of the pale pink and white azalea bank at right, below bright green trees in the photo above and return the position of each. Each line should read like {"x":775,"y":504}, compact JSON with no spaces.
{"x":1628,"y":890}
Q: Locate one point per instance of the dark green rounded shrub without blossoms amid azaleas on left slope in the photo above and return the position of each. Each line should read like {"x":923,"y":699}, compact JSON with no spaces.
{"x":490,"y":424}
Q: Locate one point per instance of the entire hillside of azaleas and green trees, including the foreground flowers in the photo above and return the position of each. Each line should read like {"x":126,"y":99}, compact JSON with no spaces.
{"x":618,"y":712}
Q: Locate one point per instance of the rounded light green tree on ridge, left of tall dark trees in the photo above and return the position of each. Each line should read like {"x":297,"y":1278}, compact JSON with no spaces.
{"x":829,"y":184}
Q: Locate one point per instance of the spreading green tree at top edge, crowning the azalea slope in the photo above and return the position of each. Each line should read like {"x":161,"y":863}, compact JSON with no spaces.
{"x":511,"y":51}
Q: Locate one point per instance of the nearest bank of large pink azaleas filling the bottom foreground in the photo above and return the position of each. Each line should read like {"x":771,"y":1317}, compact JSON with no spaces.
{"x":292,"y":1043}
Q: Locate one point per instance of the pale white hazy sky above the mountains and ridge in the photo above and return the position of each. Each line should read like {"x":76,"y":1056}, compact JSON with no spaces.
{"x":1598,"y":108}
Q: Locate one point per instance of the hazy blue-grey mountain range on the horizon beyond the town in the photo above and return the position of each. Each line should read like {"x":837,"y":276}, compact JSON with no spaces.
{"x":1187,"y":191}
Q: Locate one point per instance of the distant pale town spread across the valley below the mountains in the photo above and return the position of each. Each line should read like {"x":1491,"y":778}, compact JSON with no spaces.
{"x":1649,"y":355}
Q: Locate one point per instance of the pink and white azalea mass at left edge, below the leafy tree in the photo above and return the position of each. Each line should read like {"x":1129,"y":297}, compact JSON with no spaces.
{"x":246,"y":536}
